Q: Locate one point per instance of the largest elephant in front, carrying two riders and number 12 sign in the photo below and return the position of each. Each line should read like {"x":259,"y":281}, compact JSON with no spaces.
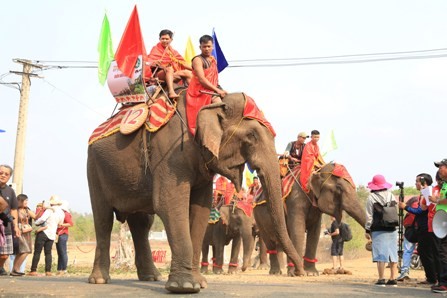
{"x":170,"y":173}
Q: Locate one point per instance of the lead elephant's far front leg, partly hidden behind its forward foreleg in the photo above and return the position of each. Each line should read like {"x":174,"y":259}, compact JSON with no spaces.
{"x":200,"y":209}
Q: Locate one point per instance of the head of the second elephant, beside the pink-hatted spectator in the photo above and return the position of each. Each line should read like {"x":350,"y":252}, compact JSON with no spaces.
{"x":335,"y":194}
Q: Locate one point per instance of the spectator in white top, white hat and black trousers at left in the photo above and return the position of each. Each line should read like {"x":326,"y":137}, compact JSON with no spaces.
{"x":45,"y":238}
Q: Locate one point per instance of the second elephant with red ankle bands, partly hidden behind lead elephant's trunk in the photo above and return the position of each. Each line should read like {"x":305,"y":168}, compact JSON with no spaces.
{"x":333,"y":196}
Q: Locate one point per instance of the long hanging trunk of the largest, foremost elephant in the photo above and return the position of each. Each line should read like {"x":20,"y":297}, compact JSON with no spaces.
{"x":272,"y":186}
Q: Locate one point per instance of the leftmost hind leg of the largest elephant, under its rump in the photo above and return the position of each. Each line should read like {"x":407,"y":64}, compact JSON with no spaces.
{"x":103,"y":220}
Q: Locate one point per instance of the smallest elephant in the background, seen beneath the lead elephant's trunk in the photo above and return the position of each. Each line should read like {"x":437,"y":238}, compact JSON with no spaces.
{"x":234,"y":225}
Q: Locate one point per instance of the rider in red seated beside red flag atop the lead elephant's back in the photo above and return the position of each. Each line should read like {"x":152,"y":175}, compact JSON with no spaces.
{"x":167,"y":63}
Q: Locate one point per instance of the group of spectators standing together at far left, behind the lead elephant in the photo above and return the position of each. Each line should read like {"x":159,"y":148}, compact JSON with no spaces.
{"x":51,"y":218}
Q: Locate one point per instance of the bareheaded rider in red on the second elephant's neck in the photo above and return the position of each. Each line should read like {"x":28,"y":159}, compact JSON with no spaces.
{"x":311,"y":159}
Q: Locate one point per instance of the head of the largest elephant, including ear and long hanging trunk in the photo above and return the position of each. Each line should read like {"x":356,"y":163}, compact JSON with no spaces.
{"x":228,"y":140}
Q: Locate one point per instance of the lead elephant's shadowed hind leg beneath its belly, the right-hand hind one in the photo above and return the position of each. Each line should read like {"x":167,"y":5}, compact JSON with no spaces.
{"x":139,"y":225}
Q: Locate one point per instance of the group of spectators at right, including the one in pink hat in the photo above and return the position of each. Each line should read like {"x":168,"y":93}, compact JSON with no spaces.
{"x":381,"y":229}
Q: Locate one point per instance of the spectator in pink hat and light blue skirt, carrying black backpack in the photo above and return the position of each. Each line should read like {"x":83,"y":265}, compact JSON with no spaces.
{"x":384,"y":239}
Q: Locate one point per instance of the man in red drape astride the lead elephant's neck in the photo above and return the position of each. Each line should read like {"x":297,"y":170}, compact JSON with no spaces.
{"x":204,"y":82}
